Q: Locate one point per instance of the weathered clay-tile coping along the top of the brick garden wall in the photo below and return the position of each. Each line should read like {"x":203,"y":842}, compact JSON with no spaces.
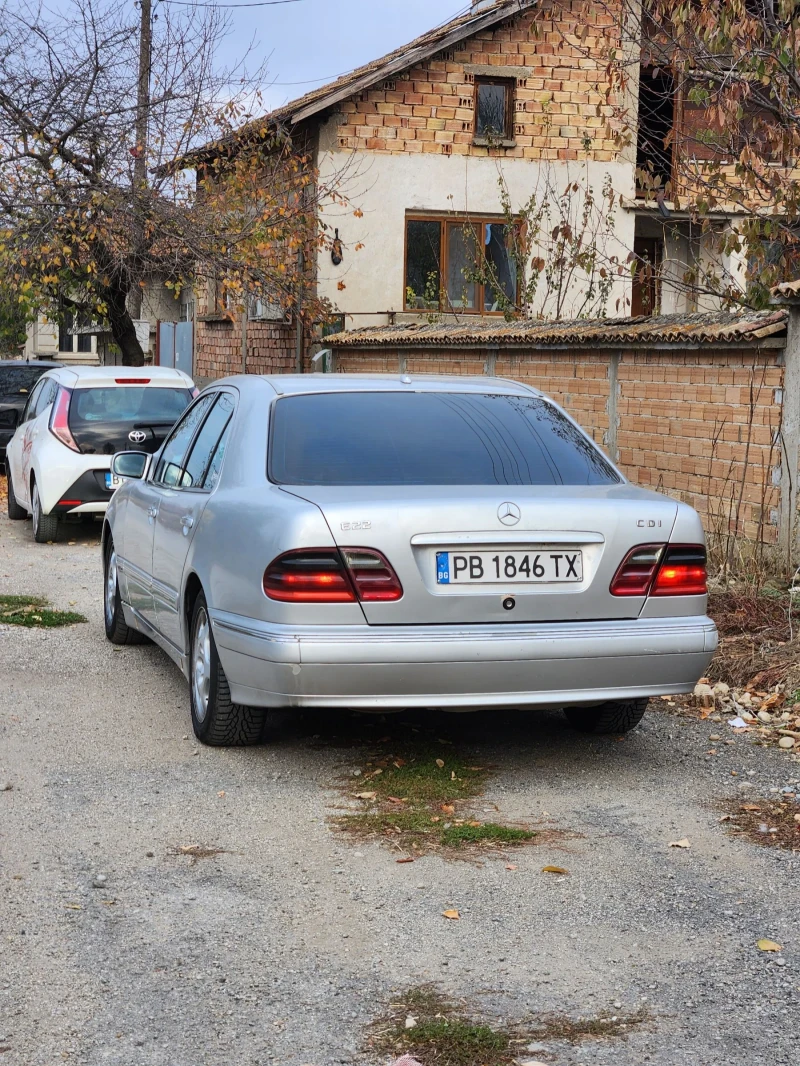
{"x":701,"y":329}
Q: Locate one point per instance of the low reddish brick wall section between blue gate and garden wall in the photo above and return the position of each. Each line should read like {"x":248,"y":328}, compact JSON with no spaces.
{"x":271,"y":349}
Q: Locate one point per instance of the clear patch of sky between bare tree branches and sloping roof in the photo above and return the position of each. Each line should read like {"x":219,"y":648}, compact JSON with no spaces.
{"x":315,"y":41}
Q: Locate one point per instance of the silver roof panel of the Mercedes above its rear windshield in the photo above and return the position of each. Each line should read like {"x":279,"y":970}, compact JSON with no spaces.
{"x":298,"y":384}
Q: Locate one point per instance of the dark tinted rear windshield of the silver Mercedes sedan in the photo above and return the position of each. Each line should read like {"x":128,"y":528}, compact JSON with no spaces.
{"x":429,"y":439}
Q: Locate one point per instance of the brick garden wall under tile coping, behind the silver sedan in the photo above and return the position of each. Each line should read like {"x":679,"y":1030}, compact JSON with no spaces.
{"x":700,"y":426}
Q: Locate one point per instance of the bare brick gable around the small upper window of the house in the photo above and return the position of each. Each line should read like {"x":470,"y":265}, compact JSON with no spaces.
{"x":562,"y":99}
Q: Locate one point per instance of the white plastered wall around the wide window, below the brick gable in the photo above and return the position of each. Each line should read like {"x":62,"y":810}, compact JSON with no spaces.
{"x":386,"y":187}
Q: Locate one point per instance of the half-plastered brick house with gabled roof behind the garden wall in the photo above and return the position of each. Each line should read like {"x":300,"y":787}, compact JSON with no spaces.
{"x":516,"y":90}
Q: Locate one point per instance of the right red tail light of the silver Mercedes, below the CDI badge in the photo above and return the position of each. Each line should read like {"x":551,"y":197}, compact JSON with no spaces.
{"x":661,"y":570}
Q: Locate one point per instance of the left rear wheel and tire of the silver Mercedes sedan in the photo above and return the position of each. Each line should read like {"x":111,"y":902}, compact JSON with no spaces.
{"x":216,"y":719}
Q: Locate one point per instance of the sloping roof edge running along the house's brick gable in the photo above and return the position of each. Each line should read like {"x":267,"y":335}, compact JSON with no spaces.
{"x":380,"y":70}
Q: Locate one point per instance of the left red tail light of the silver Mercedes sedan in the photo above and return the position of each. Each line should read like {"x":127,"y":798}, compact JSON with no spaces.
{"x":327,"y":576}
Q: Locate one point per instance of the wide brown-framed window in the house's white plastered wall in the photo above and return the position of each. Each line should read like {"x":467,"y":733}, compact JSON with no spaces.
{"x":466,"y":265}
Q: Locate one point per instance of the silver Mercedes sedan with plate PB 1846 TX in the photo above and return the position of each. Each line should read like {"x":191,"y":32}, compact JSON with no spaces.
{"x":380,"y":543}
